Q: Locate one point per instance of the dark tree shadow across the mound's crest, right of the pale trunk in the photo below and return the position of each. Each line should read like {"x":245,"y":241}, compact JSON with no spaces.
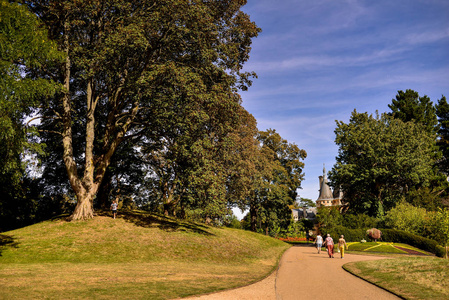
{"x":151,"y":220}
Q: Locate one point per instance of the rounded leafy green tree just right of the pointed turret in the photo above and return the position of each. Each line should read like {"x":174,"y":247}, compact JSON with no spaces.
{"x":380,"y":159}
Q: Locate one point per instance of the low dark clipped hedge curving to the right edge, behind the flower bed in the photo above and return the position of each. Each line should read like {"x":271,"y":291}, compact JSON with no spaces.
{"x":399,"y":236}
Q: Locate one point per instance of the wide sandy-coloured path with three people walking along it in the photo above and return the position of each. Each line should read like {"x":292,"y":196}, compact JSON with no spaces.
{"x":305,"y":274}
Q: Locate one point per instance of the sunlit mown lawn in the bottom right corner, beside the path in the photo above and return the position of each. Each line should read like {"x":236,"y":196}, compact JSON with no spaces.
{"x":410,"y":277}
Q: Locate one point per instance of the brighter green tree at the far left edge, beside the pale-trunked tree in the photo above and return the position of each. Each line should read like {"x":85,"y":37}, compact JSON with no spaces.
{"x":24,"y":49}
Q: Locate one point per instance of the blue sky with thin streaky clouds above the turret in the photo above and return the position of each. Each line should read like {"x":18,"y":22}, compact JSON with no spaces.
{"x":319,"y":60}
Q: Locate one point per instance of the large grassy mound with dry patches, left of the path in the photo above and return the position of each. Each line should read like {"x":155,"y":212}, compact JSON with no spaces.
{"x":137,"y":256}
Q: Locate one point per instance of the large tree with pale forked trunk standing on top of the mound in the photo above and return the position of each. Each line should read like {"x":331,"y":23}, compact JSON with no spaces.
{"x":125,"y":57}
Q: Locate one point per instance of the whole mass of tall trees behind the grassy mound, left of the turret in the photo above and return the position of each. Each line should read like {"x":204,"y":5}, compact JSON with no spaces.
{"x":137,"y":102}
